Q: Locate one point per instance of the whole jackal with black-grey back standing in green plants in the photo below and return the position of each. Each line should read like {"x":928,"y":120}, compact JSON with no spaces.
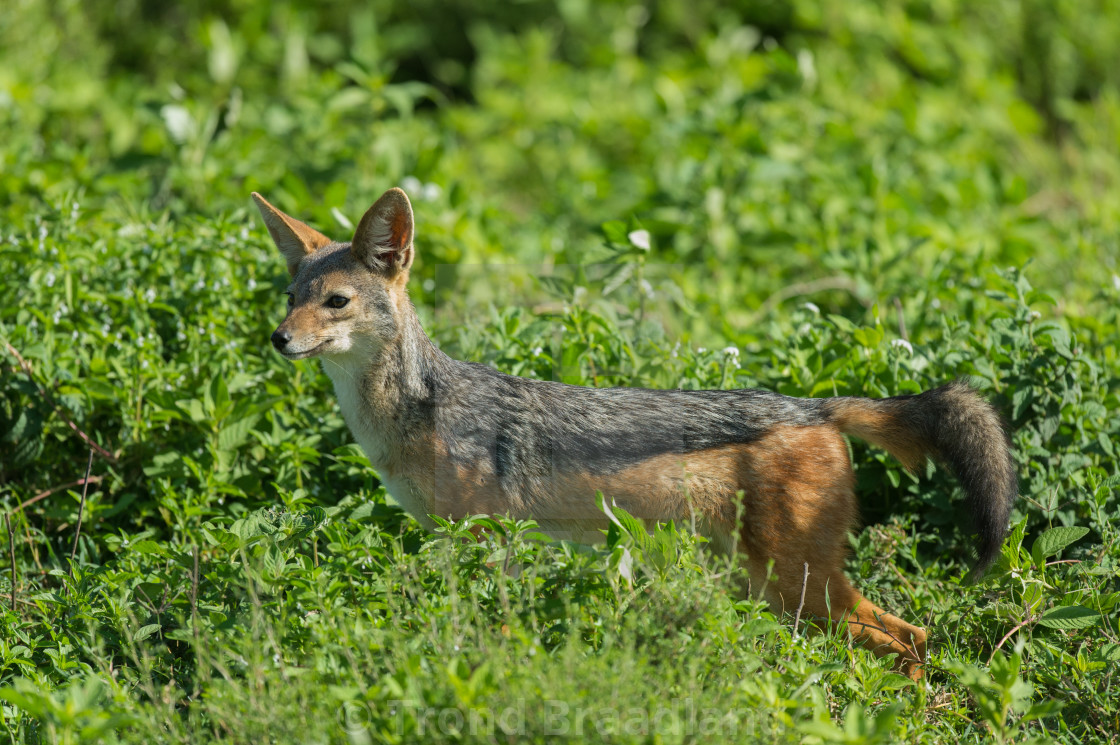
{"x":766,"y":478}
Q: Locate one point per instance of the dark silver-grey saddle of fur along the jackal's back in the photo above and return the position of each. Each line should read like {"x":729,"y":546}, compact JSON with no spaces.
{"x":522,"y":424}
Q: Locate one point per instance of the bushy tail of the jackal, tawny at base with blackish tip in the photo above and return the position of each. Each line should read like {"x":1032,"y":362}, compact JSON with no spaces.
{"x":951,"y":424}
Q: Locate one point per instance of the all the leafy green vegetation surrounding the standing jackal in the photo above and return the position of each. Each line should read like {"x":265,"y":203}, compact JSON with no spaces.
{"x":869,"y":198}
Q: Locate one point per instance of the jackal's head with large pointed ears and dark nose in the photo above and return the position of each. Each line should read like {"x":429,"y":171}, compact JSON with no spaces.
{"x":344,"y":299}
